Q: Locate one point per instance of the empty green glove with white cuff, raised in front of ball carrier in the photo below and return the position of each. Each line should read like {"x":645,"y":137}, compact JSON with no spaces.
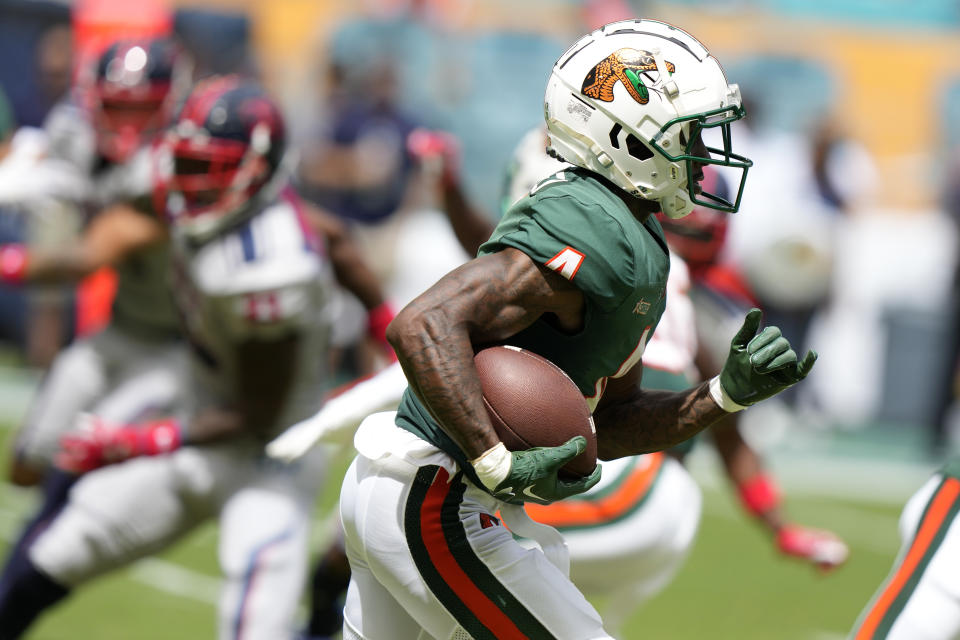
{"x":758,"y":367}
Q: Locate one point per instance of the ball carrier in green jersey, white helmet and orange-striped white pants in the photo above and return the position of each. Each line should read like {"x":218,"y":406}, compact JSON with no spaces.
{"x":576,"y":272}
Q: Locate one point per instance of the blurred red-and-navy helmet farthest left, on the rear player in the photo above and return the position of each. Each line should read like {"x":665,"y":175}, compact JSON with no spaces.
{"x":133,"y":91}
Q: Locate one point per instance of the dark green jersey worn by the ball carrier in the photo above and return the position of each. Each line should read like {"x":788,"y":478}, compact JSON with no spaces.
{"x":584,"y":228}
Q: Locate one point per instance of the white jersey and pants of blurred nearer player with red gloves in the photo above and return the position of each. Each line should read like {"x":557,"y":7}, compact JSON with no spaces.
{"x":262,"y":279}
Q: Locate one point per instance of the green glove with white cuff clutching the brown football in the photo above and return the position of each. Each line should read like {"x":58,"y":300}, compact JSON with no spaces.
{"x":533,"y":474}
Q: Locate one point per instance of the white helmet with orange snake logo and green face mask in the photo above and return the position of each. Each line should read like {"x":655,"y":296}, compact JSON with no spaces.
{"x":630,"y":101}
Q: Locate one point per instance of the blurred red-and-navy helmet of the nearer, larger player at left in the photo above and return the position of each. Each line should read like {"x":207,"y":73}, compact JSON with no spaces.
{"x":225,"y":147}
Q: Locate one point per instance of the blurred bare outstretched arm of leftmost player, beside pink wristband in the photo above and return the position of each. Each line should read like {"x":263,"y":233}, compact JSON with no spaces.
{"x":111,"y":236}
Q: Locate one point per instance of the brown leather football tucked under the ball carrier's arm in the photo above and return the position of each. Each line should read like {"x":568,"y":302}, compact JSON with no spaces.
{"x":533,"y":403}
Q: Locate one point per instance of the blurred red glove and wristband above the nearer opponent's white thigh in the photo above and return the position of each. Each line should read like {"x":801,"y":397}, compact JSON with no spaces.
{"x":95,"y":443}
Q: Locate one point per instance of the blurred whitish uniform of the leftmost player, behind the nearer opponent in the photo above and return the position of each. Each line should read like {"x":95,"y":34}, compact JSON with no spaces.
{"x":134,"y":368}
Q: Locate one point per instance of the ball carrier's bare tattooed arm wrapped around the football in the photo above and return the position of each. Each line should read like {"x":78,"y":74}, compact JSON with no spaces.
{"x":485,"y":301}
